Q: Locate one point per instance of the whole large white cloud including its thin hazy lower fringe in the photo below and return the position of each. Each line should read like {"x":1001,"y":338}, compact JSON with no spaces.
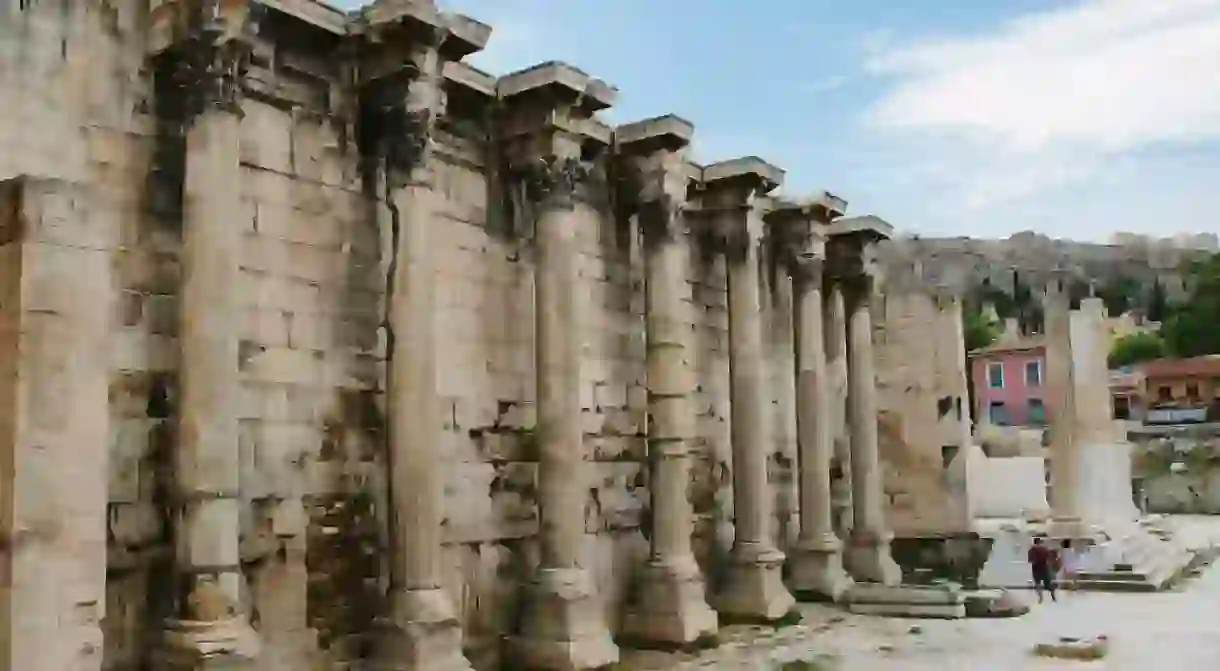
{"x":1055,"y":107}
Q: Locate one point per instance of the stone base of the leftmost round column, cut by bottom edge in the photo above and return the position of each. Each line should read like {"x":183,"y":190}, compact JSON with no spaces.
{"x":229,"y":645}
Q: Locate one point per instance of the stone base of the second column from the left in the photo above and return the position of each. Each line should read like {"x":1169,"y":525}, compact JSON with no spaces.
{"x":423,"y":635}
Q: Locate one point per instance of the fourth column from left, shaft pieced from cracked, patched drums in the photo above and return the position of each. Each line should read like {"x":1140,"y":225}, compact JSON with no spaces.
{"x":672,"y":608}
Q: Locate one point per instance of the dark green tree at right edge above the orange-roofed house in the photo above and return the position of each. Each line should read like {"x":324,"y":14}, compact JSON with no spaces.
{"x":1194,"y":329}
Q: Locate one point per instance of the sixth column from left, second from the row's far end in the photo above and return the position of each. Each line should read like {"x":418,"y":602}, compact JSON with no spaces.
{"x":816,"y":563}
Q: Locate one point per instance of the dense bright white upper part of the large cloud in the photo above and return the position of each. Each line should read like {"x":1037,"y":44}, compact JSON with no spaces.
{"x":1110,"y":74}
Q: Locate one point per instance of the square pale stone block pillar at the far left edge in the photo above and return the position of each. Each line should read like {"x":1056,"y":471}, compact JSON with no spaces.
{"x":57,"y":300}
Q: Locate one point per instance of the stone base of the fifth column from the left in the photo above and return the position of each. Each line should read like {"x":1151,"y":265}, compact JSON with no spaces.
{"x":755,"y":590}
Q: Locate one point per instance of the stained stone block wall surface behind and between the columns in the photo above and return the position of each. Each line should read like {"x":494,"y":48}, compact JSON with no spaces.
{"x":313,"y":358}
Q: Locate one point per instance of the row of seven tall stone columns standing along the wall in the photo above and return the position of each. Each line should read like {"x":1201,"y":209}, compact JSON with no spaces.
{"x":564,"y":626}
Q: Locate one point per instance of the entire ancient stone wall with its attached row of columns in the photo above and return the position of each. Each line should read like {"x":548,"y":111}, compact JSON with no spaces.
{"x":325,"y":350}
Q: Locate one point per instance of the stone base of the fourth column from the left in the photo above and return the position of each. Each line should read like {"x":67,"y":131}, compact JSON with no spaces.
{"x":673,"y":609}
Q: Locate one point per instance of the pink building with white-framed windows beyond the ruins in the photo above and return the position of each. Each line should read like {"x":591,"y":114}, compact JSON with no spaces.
{"x":1010,"y":382}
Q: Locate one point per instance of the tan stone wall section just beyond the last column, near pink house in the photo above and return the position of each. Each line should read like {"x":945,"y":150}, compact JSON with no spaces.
{"x":924,"y":413}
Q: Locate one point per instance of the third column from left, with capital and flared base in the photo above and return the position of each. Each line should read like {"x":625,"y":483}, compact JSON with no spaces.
{"x":550,"y":113}
